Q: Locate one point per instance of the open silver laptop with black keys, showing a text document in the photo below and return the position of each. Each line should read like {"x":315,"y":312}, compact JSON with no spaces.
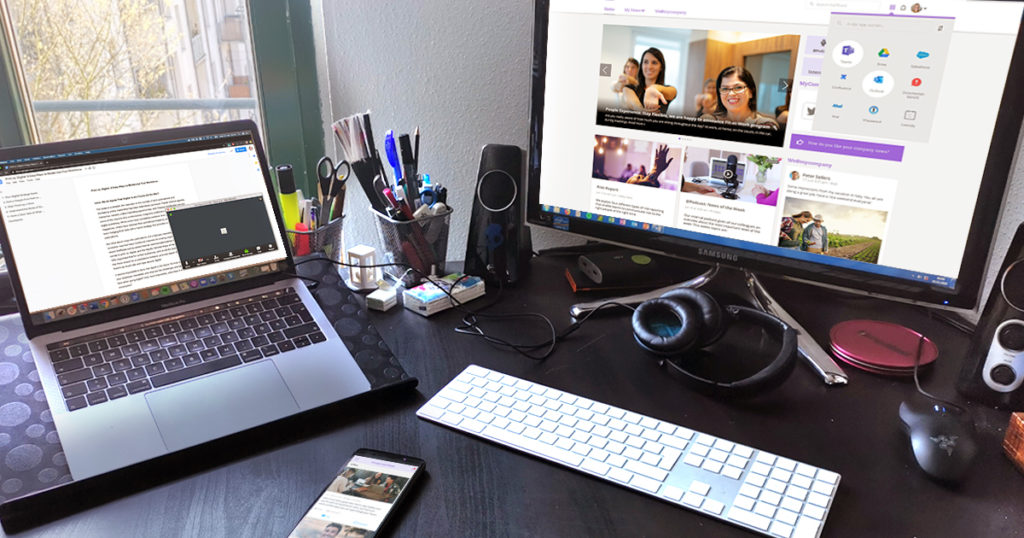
{"x":155,"y":283}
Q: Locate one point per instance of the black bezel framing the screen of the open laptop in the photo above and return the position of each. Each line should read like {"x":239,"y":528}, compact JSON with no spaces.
{"x":285,"y":267}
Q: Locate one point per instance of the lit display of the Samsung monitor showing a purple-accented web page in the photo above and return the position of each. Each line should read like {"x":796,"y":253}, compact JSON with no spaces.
{"x":854,"y":138}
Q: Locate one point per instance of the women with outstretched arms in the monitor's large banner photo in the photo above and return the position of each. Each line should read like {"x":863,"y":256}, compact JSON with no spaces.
{"x":733,"y":97}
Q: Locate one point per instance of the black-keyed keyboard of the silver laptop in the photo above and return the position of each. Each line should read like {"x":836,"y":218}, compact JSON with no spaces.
{"x":103,"y":367}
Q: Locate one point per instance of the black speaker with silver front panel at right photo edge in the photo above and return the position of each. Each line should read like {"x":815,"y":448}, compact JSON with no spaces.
{"x":994,"y":371}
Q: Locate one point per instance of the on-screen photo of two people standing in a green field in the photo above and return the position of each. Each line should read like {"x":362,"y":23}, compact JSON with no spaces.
{"x":833,"y":230}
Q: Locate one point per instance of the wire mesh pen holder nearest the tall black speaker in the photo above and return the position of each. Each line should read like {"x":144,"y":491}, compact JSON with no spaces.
{"x":421,"y":244}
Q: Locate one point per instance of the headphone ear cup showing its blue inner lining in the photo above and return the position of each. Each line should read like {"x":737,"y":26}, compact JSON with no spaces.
{"x":667,"y":326}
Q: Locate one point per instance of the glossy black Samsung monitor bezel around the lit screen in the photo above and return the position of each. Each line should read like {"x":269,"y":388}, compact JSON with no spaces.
{"x":967,"y":292}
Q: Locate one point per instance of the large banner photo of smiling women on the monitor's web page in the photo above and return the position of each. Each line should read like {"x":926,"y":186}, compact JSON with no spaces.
{"x":714,"y":85}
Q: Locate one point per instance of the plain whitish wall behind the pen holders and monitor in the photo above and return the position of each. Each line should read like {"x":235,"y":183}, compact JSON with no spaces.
{"x":461,"y":71}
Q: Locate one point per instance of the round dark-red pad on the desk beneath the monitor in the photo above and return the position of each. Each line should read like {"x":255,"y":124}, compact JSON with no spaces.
{"x":881,"y":348}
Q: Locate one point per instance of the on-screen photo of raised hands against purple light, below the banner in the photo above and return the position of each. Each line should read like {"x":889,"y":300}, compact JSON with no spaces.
{"x":637,"y":162}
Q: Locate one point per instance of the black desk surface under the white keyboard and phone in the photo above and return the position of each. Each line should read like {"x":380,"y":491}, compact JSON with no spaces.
{"x":263,"y":483}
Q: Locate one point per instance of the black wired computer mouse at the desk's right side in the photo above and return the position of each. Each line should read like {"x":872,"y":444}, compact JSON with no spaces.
{"x":943,"y":439}
